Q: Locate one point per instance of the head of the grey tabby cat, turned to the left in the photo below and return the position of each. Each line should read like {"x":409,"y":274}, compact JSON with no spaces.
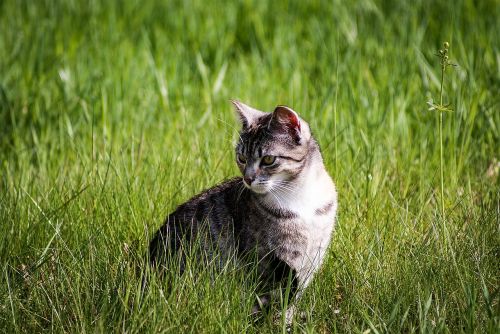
{"x":272,"y":149}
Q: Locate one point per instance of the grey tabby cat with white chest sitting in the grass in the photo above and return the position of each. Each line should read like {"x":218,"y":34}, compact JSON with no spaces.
{"x":283,"y":206}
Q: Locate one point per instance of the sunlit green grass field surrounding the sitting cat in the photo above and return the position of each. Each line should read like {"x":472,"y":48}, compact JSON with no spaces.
{"x":113,"y":113}
